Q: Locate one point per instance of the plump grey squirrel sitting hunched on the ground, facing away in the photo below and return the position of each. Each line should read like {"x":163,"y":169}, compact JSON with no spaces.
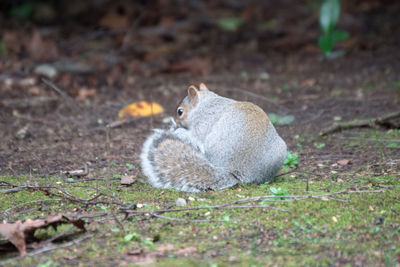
{"x":215,"y":143}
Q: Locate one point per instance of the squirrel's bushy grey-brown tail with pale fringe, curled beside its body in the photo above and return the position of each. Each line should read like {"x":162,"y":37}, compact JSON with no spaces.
{"x":170,"y":162}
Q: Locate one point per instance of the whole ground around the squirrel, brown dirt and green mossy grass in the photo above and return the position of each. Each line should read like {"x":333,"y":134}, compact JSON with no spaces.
{"x":353,"y":175}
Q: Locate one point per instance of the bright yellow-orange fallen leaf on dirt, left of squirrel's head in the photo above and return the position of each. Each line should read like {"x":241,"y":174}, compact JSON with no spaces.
{"x":141,"y":109}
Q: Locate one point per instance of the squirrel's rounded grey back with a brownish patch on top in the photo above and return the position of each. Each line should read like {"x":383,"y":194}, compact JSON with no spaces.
{"x":246,"y":143}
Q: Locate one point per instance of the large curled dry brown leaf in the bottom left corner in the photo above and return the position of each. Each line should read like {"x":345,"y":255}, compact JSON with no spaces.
{"x":16,"y":232}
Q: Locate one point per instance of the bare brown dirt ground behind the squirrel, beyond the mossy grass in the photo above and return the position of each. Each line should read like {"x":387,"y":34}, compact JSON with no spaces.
{"x":45,"y":133}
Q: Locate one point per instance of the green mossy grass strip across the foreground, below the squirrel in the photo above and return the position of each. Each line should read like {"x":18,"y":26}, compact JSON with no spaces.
{"x":365,"y":228}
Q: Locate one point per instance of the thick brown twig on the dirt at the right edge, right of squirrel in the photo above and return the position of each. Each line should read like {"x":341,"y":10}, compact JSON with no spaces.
{"x":382,"y":121}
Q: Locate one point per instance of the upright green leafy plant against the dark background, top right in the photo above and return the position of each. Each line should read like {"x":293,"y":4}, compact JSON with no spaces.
{"x":328,"y":18}
